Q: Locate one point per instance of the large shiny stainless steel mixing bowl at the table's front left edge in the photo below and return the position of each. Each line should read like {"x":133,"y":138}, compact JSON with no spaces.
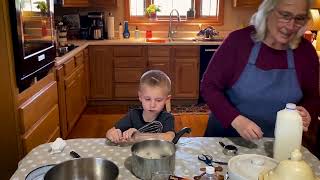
{"x":84,"y":168}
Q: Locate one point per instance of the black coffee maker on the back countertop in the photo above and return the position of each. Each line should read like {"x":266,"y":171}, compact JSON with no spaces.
{"x":96,"y":28}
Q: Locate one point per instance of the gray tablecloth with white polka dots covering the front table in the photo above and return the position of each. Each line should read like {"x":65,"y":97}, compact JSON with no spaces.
{"x":187,"y":164}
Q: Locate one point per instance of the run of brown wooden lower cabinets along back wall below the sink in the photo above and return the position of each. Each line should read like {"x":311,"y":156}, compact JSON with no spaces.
{"x":114,"y":71}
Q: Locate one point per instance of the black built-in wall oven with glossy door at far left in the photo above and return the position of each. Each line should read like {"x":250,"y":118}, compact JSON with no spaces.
{"x":33,"y":39}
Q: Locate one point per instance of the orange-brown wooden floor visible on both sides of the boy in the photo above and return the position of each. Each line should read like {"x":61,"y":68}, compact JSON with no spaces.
{"x":96,"y":120}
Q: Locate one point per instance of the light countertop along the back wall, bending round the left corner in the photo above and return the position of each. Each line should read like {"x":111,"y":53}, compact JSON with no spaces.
{"x":85,"y":43}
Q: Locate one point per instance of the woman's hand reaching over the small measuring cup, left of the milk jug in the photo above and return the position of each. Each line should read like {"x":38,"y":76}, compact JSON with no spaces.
{"x":247,"y":128}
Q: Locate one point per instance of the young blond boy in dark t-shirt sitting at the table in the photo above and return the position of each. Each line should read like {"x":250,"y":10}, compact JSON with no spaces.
{"x":154,"y":93}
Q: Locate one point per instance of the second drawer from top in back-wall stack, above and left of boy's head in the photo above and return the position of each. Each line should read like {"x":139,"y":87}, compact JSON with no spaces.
{"x":129,"y":62}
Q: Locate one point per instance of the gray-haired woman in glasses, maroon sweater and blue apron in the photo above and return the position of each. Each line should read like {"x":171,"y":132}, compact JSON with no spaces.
{"x":260,"y":68}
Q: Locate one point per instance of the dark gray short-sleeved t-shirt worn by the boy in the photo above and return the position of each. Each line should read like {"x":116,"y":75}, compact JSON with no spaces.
{"x":134,"y":119}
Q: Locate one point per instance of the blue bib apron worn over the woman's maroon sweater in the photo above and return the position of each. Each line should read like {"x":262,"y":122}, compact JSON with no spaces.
{"x":259,"y":95}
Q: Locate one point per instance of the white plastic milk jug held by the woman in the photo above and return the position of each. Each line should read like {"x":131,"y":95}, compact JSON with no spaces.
{"x":288,"y":132}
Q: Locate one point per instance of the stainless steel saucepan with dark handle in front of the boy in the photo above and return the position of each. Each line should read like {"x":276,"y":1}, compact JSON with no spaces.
{"x":151,"y":156}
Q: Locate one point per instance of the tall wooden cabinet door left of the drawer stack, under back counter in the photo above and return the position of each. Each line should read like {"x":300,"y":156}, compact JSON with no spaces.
{"x":101,"y":72}
